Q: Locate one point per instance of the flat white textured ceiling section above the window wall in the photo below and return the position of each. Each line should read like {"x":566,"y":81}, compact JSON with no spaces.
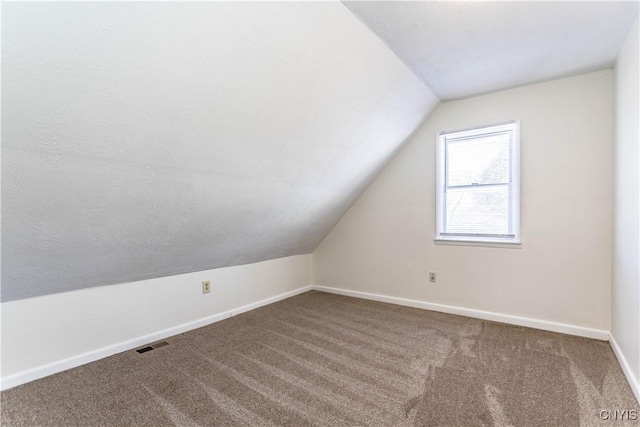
{"x":461,"y":49}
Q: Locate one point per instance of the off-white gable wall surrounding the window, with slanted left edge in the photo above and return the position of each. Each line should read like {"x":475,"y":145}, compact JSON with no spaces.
{"x":562,"y":273}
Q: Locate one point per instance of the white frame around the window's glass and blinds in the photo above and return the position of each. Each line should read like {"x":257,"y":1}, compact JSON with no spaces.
{"x":513,"y":238}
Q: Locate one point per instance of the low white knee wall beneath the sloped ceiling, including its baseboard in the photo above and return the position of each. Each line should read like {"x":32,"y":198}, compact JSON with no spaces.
{"x":43,"y":335}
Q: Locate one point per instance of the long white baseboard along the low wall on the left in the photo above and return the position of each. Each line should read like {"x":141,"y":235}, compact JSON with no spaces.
{"x":33,"y":374}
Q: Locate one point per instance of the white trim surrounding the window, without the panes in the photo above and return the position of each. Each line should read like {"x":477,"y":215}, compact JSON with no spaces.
{"x":477,"y":240}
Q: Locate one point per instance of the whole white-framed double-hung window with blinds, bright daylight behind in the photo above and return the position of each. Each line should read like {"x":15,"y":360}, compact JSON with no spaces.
{"x":478,"y":184}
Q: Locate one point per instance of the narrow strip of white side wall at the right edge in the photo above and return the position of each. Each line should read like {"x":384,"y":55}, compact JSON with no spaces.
{"x":625,"y":295}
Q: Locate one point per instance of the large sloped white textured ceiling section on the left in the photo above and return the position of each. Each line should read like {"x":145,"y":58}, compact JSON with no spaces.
{"x":148,"y":139}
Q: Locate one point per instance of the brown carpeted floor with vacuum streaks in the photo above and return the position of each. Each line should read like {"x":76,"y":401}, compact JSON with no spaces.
{"x":328,"y":360}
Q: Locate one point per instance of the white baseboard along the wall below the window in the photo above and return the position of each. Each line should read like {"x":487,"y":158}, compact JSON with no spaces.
{"x":546,"y":325}
